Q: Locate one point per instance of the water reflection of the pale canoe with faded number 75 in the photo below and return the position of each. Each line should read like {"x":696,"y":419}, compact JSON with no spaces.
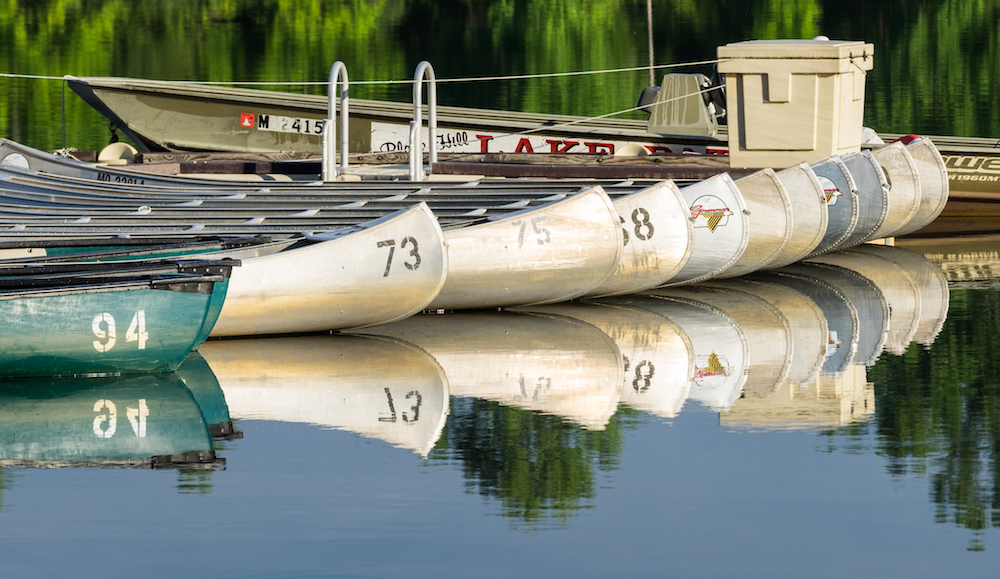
{"x":552,"y":364}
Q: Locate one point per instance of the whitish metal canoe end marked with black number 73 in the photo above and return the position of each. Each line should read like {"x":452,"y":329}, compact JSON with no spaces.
{"x":389,"y":269}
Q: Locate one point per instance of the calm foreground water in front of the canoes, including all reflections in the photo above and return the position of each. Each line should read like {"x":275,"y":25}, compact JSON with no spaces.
{"x":569,"y":440}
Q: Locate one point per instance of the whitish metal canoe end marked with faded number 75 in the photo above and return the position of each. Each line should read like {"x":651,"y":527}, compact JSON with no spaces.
{"x":549,"y":254}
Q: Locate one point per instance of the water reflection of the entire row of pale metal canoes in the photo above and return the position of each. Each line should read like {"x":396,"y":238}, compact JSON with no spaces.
{"x":784,"y":349}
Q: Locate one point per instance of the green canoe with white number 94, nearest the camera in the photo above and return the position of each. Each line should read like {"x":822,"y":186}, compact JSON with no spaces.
{"x":103,"y":320}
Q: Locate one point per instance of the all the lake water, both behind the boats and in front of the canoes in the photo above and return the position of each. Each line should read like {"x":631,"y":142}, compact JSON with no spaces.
{"x":835,"y":424}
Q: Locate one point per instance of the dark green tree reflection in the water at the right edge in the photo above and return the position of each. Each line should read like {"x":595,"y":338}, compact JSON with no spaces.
{"x":939,"y":412}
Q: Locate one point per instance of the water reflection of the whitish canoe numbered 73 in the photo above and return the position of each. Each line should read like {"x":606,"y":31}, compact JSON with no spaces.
{"x":377,"y":387}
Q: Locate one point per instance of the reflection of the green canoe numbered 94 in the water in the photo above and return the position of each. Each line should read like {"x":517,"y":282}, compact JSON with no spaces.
{"x":142,"y":421}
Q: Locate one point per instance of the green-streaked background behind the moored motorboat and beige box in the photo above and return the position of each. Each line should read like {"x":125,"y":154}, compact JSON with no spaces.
{"x":935,"y":60}
